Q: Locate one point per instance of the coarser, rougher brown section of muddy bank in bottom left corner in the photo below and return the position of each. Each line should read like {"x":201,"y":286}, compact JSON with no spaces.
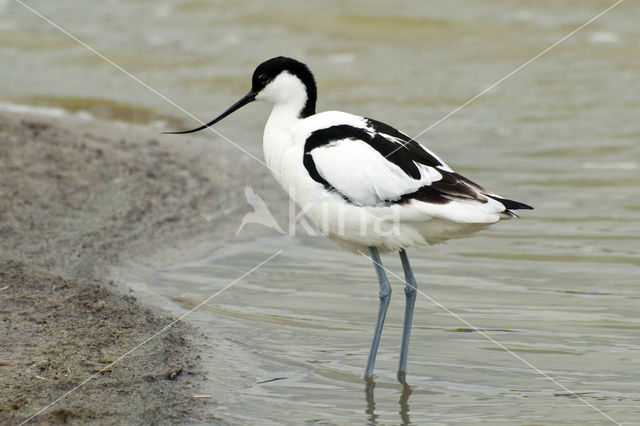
{"x":59,"y":331}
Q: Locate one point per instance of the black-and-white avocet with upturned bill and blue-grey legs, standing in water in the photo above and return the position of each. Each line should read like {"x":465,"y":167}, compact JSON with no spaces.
{"x":364,"y":184}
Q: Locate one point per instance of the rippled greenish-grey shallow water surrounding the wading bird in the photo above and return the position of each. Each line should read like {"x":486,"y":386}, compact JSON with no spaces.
{"x":289,"y":342}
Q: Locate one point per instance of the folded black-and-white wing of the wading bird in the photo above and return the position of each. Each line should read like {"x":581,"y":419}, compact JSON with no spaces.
{"x":370,"y":163}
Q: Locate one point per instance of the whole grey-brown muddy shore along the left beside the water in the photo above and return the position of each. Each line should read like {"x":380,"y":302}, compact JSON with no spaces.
{"x":79,"y":199}
